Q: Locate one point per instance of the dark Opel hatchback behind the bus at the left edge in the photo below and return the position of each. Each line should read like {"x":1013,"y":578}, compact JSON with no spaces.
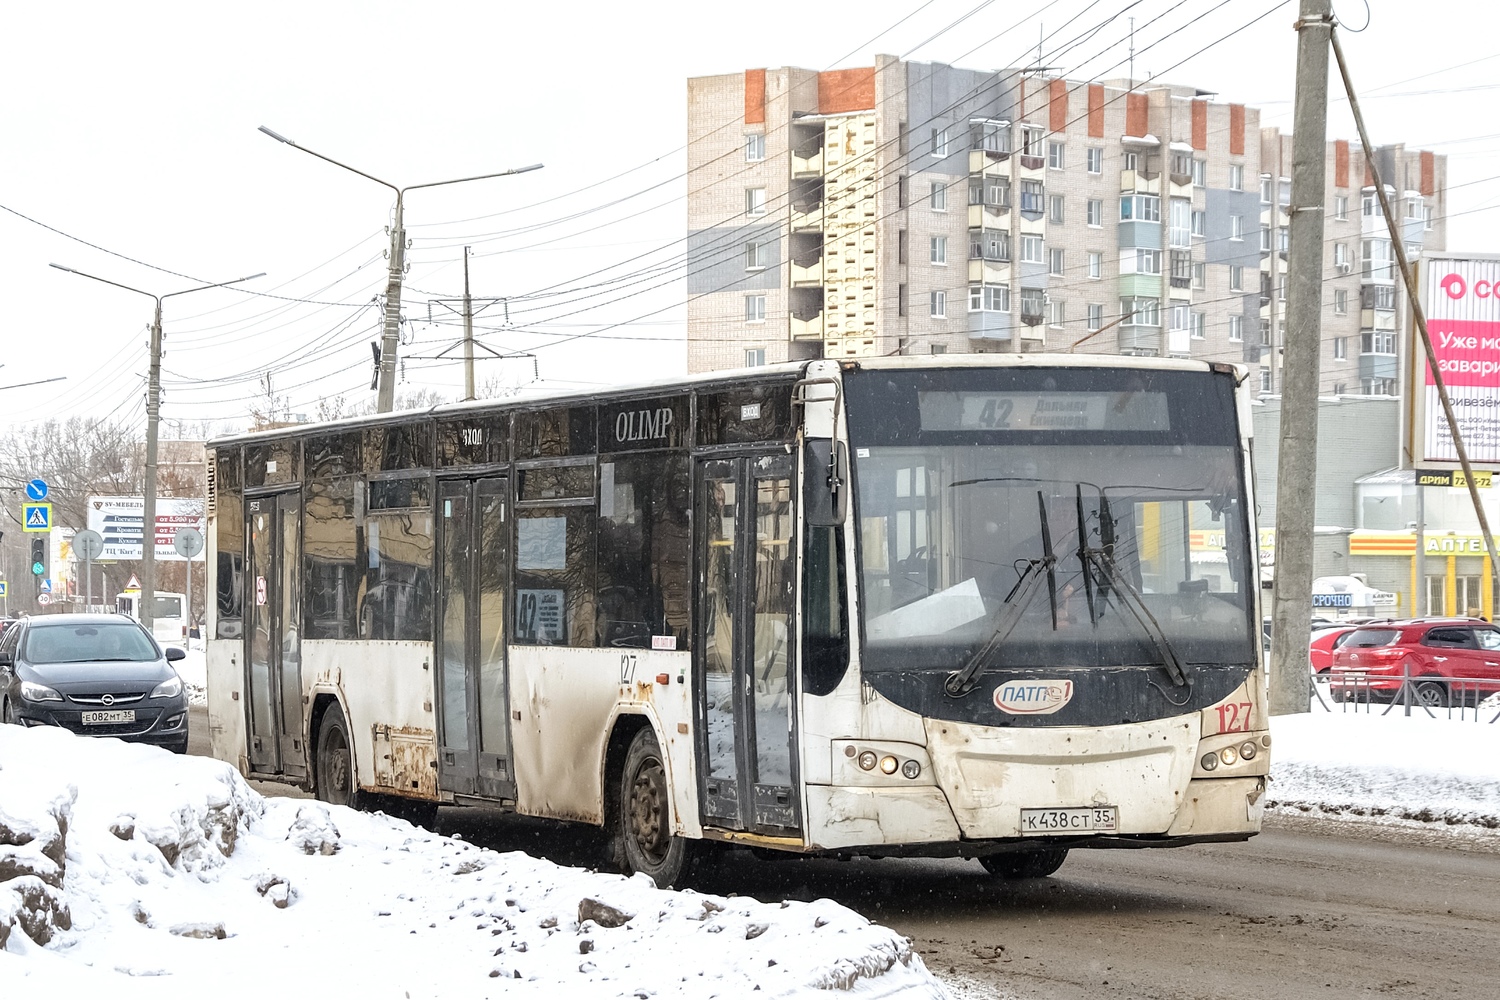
{"x":97,"y":675}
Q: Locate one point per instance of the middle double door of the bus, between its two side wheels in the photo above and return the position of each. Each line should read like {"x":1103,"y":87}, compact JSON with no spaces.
{"x":473,"y":693}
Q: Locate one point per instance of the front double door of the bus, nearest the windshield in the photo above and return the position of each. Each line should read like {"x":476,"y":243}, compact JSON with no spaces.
{"x":746,"y":563}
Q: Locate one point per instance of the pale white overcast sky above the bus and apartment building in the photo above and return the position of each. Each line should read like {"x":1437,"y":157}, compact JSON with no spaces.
{"x":134,"y":128}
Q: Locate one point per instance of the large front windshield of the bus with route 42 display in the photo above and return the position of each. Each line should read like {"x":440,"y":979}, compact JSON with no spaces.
{"x":1051,"y":518}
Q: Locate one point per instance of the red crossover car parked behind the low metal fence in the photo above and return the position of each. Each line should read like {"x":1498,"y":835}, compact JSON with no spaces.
{"x":1450,"y":660}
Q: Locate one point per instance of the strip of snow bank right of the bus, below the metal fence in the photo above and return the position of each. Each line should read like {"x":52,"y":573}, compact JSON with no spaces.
{"x":1388,"y":768}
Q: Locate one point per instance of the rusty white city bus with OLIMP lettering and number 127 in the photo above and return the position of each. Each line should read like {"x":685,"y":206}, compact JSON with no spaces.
{"x":898,"y":606}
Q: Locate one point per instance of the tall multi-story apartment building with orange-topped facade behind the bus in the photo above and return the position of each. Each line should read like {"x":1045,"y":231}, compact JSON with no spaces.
{"x":919,"y":208}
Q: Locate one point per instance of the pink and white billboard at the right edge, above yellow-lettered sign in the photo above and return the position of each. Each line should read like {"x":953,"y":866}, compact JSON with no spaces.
{"x":1462,"y":301}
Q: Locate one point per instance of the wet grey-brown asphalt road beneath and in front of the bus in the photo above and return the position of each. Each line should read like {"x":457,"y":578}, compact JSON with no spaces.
{"x":1303,"y":911}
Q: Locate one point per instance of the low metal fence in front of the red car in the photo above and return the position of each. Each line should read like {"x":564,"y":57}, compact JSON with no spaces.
{"x":1462,"y":699}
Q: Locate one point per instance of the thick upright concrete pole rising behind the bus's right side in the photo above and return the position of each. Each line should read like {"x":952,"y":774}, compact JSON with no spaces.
{"x":1297,"y":461}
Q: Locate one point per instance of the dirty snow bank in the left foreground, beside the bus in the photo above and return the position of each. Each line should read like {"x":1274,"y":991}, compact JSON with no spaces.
{"x":131,"y":864}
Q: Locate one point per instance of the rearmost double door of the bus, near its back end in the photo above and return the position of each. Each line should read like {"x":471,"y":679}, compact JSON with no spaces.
{"x":274,"y":641}
